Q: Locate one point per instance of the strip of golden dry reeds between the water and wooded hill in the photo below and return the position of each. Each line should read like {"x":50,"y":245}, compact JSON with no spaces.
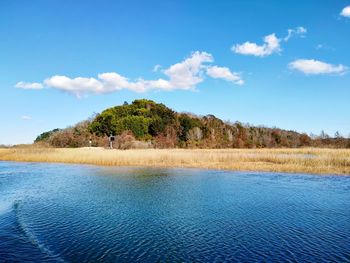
{"x":305,"y":160}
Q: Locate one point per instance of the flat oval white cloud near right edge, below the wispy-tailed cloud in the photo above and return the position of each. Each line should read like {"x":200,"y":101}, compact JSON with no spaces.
{"x":316,"y":67}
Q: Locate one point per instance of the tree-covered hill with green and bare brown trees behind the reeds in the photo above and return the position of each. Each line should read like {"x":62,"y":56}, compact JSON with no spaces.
{"x":146,"y":124}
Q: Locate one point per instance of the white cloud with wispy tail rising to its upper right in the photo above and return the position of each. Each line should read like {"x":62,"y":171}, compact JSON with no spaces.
{"x":272,"y":44}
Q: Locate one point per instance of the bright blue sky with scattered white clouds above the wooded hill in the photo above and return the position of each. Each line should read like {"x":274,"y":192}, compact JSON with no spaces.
{"x":274,"y":63}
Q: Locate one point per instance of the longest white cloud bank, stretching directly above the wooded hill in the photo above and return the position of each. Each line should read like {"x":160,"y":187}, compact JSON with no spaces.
{"x":184,"y":75}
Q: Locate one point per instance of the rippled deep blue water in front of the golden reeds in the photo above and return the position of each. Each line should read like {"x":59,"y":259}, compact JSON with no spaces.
{"x":81,"y":213}
